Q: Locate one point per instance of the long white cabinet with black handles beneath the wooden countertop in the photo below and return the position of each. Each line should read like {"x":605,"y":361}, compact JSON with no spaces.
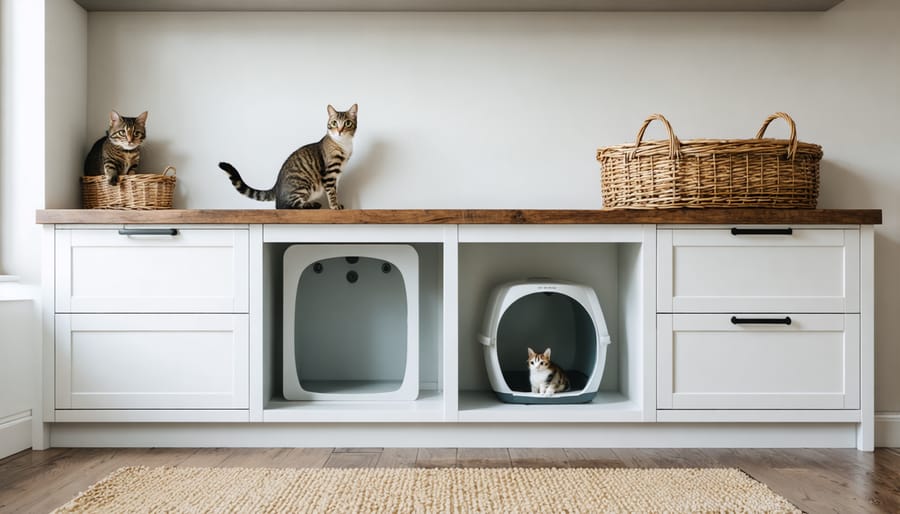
{"x":767,"y":333}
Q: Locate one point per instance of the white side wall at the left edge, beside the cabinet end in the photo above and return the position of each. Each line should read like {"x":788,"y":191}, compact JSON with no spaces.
{"x":36,"y":149}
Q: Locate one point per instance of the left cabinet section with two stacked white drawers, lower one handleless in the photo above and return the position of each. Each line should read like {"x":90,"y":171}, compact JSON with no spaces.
{"x":151,"y":318}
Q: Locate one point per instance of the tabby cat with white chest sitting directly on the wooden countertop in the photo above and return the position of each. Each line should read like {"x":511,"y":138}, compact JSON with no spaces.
{"x":311,"y":170}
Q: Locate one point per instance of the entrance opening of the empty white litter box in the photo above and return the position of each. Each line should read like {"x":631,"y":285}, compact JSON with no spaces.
{"x":350,"y":326}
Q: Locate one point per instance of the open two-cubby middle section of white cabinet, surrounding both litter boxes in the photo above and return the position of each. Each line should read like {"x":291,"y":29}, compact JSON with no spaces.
{"x":458,"y":270}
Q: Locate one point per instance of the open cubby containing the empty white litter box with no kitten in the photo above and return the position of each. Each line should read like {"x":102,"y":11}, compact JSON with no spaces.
{"x":368,"y":378}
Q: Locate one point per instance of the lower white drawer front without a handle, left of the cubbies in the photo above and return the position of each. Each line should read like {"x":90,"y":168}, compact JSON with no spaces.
{"x":152,"y":361}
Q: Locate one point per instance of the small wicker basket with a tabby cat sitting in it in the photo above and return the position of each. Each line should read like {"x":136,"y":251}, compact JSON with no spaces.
{"x":142,"y":191}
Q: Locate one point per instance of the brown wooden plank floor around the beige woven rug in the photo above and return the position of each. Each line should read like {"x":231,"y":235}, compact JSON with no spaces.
{"x":815,"y":480}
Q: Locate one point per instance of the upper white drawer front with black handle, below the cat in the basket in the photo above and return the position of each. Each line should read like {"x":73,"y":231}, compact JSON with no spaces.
{"x":195,"y":270}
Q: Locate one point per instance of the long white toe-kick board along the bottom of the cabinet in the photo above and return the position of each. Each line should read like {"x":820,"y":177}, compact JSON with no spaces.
{"x":580,"y":435}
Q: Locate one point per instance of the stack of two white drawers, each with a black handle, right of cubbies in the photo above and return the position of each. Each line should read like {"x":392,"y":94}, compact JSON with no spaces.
{"x":758,"y":318}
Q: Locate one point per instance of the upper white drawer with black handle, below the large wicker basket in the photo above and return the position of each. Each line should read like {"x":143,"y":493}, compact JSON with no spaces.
{"x":713,"y":270}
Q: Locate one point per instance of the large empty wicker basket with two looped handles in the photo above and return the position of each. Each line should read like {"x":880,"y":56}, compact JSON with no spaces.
{"x":772,"y":173}
